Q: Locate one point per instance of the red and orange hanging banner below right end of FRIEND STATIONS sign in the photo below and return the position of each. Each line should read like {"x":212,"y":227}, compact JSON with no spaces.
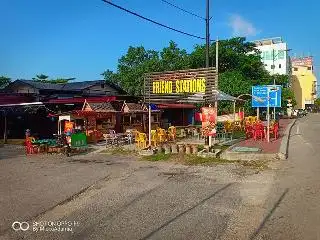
{"x":208,"y":116}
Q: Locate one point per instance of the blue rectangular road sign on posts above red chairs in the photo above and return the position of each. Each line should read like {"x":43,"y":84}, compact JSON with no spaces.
{"x":260,"y":96}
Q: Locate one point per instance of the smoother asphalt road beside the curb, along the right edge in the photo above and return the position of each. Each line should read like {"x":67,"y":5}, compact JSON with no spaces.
{"x":297,"y":215}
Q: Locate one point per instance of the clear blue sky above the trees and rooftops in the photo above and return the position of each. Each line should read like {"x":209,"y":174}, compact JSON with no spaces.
{"x":82,"y":38}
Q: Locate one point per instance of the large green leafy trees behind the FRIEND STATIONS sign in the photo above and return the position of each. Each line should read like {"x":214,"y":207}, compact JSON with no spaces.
{"x":240,"y":67}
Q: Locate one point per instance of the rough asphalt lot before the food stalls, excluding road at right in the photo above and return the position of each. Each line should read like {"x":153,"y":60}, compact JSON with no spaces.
{"x":130,"y":199}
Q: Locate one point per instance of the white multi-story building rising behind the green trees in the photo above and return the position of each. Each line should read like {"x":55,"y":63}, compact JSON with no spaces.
{"x":274,"y":55}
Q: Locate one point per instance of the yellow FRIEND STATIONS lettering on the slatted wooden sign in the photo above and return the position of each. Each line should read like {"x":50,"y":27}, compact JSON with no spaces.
{"x":179,"y":86}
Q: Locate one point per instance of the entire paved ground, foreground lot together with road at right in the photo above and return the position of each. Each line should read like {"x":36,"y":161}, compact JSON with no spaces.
{"x":143,"y":200}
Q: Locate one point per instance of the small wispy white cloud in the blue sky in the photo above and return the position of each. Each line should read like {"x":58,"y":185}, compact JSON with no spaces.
{"x":242,"y":27}
